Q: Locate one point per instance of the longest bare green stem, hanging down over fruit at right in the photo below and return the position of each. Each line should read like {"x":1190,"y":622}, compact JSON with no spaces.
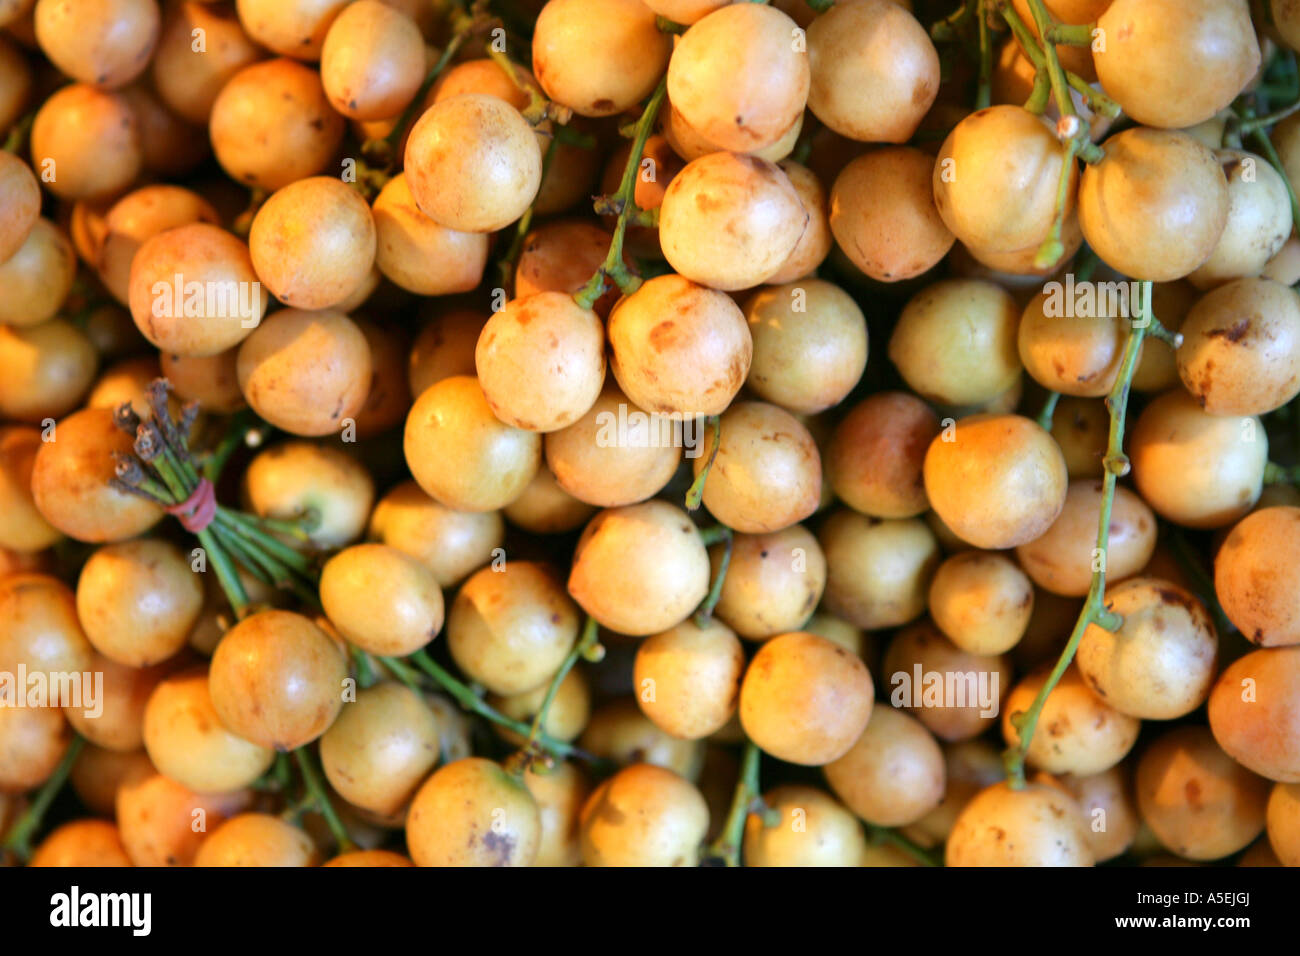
{"x":1094,"y":609}
